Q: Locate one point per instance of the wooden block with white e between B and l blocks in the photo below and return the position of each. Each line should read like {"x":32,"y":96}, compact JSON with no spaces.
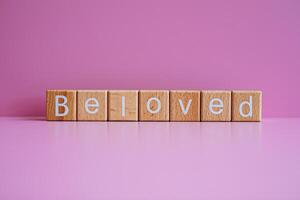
{"x":92,"y":105}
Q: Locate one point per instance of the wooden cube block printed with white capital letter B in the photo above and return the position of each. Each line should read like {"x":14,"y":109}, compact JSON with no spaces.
{"x":61,"y":105}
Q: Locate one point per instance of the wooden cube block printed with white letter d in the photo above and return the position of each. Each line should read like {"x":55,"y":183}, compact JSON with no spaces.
{"x":246,"y":105}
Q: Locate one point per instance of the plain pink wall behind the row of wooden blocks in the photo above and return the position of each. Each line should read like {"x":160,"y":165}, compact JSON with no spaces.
{"x":149,"y":44}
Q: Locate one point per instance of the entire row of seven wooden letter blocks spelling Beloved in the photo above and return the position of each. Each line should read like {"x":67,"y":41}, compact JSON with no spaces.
{"x":154,"y":105}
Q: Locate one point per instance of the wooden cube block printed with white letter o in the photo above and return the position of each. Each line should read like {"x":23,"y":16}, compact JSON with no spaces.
{"x":154,"y":105}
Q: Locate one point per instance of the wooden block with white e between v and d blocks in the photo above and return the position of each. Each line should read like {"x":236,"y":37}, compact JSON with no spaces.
{"x":215,"y":105}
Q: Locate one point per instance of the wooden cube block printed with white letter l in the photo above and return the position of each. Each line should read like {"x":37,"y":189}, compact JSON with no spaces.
{"x":123,"y":105}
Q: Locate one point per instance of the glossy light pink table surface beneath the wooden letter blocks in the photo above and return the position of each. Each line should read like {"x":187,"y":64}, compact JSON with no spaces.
{"x":106,"y":160}
